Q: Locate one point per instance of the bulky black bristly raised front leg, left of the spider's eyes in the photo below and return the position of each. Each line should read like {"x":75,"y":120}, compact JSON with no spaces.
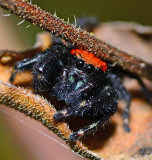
{"x":49,"y":67}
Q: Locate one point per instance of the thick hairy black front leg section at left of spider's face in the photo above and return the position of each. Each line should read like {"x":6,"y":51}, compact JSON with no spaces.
{"x":46,"y":71}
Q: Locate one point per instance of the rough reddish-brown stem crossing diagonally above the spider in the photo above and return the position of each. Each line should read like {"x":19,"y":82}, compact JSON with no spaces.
{"x":78,"y":37}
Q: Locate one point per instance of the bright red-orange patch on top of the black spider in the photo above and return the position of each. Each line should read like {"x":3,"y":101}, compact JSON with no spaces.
{"x":89,"y":58}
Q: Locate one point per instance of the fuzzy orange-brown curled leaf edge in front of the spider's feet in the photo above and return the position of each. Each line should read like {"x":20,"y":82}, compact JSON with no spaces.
{"x":41,"y":110}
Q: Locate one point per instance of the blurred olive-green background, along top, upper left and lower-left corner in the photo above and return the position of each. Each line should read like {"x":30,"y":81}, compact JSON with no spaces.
{"x":106,"y":10}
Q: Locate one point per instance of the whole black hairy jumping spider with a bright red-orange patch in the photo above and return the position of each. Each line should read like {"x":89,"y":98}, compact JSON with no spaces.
{"x":89,"y":87}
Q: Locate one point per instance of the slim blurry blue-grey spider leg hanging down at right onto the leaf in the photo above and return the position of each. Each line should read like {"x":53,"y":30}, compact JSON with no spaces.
{"x":123,"y":94}
